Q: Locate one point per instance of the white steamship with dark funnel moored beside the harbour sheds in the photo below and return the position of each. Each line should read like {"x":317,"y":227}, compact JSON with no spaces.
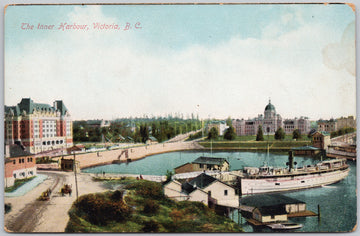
{"x":267,"y":179}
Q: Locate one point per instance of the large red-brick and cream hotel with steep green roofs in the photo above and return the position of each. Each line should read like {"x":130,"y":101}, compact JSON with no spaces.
{"x":38,"y":127}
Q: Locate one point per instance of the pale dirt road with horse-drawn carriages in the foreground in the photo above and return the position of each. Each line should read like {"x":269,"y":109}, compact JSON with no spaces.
{"x":30,"y":215}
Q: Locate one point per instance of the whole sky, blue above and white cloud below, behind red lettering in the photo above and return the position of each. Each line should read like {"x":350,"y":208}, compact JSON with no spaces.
{"x":213,"y":60}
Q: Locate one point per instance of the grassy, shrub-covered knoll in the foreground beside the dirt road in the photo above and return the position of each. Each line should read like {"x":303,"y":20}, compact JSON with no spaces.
{"x":140,"y":206}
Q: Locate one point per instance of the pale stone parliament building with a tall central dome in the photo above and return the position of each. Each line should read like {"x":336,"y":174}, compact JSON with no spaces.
{"x":270,"y":122}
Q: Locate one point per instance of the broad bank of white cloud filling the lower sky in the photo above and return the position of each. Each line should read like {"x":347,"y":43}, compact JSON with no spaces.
{"x":103,"y":75}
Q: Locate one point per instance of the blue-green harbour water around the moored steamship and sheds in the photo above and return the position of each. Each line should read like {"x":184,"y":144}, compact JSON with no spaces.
{"x":337,"y":202}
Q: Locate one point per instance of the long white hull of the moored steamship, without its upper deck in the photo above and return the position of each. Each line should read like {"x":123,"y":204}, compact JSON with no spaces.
{"x":266,"y":184}
